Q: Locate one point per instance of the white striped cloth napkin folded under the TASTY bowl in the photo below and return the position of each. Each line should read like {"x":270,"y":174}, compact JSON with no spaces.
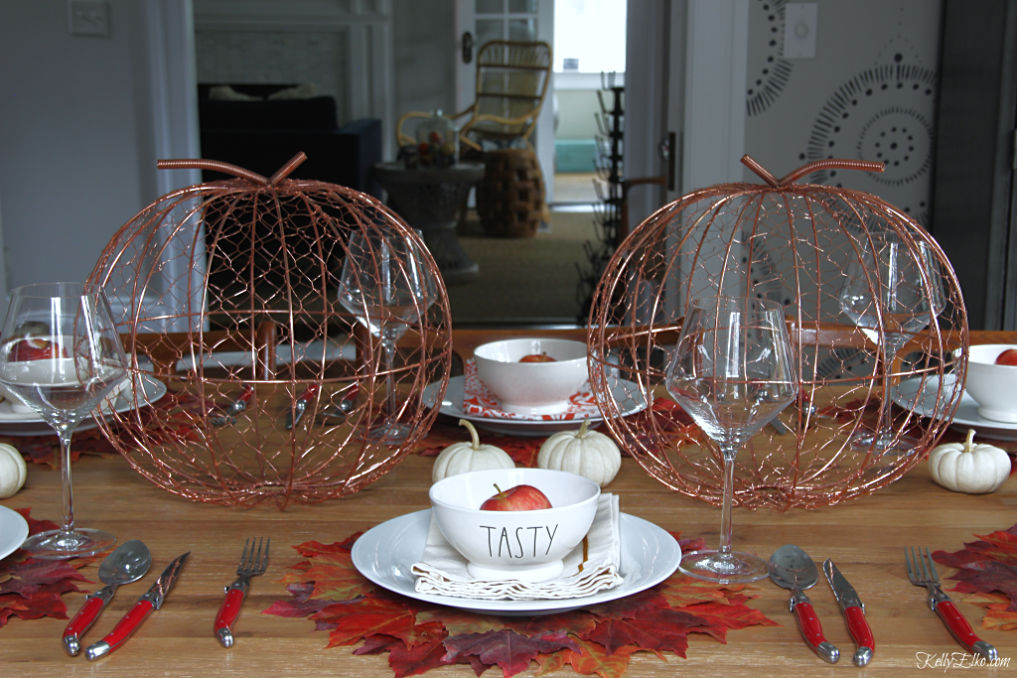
{"x":443,"y":571}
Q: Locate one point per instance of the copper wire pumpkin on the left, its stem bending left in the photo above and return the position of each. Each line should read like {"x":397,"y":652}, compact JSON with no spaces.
{"x":227,"y":292}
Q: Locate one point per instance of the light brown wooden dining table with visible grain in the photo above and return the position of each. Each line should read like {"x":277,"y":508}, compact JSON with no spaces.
{"x":866,"y":537}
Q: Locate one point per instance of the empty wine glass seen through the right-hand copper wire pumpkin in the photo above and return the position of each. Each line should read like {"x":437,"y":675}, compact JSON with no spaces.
{"x":891,"y":292}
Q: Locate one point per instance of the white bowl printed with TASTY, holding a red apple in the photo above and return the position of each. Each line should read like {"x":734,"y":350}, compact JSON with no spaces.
{"x":527,"y":546}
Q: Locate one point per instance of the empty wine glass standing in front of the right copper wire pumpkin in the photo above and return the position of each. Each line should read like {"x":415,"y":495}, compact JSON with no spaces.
{"x":733,"y":372}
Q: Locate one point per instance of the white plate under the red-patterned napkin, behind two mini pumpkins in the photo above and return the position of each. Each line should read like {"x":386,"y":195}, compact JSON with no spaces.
{"x":626,"y":392}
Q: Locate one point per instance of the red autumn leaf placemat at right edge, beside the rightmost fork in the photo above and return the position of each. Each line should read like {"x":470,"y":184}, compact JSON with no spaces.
{"x":987,"y":575}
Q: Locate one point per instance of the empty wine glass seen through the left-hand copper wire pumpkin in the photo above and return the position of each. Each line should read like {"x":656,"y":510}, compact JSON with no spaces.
{"x":387,"y":286}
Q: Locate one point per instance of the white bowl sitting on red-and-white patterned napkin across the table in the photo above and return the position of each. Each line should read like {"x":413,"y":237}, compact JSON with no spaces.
{"x":532,"y":389}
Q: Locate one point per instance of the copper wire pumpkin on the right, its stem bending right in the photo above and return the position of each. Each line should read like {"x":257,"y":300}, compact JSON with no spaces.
{"x":793,"y":243}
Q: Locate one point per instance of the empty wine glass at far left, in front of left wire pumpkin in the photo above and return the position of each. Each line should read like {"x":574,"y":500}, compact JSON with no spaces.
{"x":62,"y":355}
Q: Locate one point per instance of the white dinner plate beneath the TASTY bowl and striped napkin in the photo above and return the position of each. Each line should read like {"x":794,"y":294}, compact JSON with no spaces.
{"x":385,"y":554}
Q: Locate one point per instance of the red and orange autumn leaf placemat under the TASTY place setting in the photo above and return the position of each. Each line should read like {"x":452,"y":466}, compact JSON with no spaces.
{"x":327,"y":589}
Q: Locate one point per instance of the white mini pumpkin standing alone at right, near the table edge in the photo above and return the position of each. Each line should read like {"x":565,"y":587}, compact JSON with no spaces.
{"x":968,"y":467}
